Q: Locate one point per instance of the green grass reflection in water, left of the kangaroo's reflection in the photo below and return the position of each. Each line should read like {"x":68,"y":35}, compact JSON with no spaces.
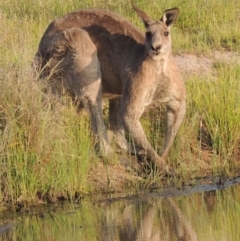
{"x":61,"y":224}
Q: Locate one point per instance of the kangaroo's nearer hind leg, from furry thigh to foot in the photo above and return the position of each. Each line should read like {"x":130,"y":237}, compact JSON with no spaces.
{"x":83,"y":78}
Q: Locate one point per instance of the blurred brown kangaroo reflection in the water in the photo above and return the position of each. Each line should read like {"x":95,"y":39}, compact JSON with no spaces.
{"x":155,"y":220}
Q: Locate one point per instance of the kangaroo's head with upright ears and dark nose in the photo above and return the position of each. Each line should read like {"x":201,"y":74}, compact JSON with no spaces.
{"x":158,"y":39}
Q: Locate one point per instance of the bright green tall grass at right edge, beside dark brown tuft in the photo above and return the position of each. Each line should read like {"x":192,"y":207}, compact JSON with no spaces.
{"x":220,"y":109}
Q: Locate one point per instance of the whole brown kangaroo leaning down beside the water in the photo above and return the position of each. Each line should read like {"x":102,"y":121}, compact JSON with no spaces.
{"x":99,"y":54}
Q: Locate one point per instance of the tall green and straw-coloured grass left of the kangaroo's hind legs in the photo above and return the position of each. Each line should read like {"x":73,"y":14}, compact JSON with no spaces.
{"x":44,"y":146}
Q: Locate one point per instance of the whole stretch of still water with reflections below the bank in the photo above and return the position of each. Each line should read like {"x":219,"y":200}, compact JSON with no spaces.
{"x":201,"y":213}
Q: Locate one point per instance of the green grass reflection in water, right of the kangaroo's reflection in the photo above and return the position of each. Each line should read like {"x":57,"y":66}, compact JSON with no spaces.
{"x":217,"y":214}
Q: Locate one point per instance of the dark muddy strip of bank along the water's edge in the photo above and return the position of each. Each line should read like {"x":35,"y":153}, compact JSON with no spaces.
{"x":198,"y":185}
